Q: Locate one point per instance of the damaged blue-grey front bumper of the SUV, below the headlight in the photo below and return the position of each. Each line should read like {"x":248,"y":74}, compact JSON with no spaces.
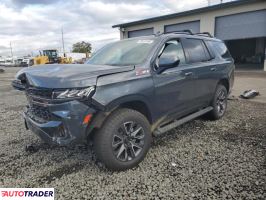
{"x":65,"y":126}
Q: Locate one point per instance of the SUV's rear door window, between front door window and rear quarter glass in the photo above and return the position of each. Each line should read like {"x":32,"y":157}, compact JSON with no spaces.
{"x":195,"y":50}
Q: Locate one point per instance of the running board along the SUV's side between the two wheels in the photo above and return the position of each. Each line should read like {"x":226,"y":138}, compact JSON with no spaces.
{"x":181,"y":121}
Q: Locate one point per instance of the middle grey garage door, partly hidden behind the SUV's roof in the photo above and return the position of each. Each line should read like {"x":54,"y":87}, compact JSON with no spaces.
{"x":194,"y":26}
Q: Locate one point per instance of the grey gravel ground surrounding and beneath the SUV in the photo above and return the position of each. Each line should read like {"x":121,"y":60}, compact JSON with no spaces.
{"x":223,"y":159}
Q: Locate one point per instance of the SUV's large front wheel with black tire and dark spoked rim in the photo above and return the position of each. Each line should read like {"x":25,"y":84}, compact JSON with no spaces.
{"x":124,"y":140}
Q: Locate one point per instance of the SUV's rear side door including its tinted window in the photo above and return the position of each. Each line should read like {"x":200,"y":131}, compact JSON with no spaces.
{"x":199,"y":58}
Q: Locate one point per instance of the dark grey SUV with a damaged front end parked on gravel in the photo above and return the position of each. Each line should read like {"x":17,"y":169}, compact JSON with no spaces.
{"x":127,"y":92}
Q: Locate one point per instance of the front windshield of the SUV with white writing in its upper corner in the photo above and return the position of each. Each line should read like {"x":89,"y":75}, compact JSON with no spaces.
{"x":125,"y":52}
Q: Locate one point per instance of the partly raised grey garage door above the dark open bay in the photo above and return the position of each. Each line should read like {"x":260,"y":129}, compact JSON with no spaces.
{"x":243,"y":25}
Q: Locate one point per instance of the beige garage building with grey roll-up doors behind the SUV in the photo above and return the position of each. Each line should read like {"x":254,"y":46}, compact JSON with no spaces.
{"x":241,"y":24}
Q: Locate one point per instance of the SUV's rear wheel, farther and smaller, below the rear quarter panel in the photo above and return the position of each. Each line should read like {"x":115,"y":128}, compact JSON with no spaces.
{"x":219,"y":103}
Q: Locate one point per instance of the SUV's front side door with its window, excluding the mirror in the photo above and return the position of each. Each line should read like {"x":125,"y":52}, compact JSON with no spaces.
{"x":174,"y":87}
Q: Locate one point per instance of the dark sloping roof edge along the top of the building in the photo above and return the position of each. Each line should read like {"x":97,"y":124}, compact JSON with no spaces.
{"x":189,"y":12}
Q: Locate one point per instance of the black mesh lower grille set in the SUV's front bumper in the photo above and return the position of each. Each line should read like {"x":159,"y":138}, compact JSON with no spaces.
{"x":39,"y":113}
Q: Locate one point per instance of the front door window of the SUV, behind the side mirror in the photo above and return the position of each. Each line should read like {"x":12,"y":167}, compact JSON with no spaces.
{"x":172,"y":48}
